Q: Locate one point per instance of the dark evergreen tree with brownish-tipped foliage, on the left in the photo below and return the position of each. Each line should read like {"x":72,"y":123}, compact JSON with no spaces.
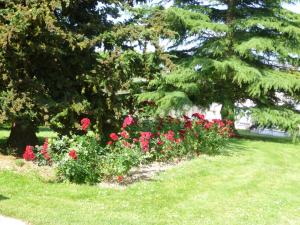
{"x":61,"y":60}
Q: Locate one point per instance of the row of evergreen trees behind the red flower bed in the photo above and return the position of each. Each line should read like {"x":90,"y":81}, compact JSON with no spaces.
{"x":61,"y":60}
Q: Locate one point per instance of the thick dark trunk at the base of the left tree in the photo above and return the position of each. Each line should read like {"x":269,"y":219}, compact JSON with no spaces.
{"x":22,"y":133}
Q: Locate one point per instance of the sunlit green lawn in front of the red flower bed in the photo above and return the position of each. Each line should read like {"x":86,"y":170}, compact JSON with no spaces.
{"x":257,"y":183}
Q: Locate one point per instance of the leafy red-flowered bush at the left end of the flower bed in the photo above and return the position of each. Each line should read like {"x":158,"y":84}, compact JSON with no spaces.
{"x":75,"y":158}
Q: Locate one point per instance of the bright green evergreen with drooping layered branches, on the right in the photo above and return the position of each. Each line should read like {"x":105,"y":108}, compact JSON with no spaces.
{"x":228,"y":51}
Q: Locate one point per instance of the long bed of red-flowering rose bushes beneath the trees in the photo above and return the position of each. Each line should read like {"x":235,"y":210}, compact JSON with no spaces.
{"x":84,"y":159}
